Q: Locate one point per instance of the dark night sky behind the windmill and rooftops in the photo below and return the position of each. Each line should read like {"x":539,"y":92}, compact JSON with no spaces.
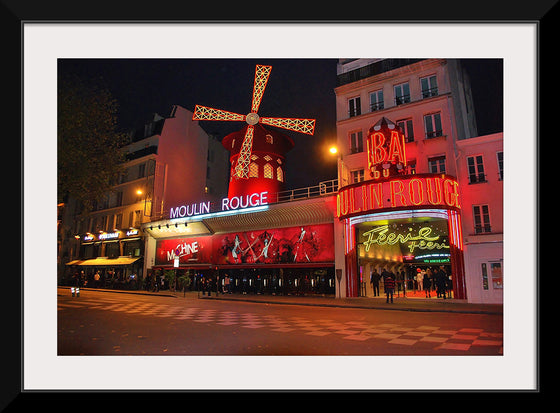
{"x":299,"y":88}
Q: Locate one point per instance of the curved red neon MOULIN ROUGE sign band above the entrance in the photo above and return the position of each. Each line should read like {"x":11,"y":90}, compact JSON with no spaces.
{"x":425,"y":190}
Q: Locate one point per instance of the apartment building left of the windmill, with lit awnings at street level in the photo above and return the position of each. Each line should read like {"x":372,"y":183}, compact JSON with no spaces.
{"x":169,"y":161}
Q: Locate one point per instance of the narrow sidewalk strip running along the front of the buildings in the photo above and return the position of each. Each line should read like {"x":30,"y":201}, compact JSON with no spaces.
{"x":399,"y":303}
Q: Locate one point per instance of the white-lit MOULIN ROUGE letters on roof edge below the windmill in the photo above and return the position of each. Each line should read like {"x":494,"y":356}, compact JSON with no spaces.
{"x":227,"y":204}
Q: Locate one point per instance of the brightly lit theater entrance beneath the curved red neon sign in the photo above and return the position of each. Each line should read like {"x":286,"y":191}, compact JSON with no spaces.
{"x":414,"y":247}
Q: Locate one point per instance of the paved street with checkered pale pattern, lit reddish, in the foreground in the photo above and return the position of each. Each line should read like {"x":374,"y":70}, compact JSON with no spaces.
{"x":106,"y":323}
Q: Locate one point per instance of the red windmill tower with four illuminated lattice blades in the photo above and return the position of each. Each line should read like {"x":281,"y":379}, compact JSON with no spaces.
{"x":257,"y":154}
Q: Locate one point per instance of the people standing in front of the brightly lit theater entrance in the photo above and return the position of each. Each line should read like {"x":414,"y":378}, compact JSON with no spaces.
{"x":425,"y":280}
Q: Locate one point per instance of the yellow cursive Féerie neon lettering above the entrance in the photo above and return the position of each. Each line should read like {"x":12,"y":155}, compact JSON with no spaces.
{"x":423,"y":240}
